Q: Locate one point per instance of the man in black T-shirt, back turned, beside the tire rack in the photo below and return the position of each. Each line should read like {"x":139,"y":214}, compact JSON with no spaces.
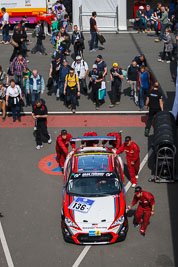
{"x":155,"y":103}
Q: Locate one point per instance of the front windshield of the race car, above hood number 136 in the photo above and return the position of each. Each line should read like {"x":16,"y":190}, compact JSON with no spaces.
{"x":93,"y":187}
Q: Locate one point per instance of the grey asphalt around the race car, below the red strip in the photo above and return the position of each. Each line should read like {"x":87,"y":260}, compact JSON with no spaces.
{"x":31,"y":201}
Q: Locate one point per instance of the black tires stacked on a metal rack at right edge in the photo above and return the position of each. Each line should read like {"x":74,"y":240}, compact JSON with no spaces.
{"x":165,"y":145}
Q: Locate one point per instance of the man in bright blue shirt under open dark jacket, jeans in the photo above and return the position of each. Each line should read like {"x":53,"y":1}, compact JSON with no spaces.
{"x":144,"y":83}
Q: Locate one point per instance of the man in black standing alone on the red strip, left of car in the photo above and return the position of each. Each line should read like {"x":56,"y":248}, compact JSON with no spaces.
{"x":40,"y":114}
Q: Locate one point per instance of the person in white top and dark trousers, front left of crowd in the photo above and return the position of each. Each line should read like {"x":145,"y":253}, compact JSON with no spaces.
{"x":13,"y":97}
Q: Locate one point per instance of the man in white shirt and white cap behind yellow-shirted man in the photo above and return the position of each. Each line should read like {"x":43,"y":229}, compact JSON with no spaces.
{"x":81,"y":70}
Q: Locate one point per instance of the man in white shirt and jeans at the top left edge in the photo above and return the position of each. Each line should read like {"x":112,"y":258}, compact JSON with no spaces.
{"x":5,"y":27}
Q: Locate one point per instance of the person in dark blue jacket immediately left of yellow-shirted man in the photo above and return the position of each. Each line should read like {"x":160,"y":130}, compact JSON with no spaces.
{"x":64,"y":70}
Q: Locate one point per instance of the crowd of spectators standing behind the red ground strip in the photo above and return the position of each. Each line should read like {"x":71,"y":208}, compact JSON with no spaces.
{"x":69,"y":82}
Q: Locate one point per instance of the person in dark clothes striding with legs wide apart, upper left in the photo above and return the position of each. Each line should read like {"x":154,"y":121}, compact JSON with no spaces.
{"x":39,"y":33}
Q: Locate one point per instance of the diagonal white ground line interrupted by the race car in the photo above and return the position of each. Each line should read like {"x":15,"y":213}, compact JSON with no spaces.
{"x":127,"y":187}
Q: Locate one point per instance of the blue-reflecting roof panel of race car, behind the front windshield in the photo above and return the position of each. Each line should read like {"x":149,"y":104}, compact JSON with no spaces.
{"x":94,"y":163}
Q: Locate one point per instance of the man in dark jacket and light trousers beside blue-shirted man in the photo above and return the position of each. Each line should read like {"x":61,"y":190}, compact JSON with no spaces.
{"x":132,"y":72}
